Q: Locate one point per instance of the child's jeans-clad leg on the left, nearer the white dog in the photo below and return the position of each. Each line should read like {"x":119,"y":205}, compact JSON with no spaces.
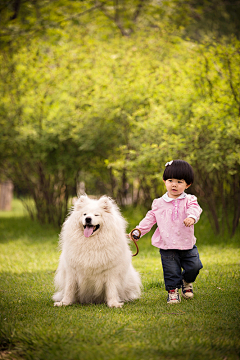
{"x":171,"y":269}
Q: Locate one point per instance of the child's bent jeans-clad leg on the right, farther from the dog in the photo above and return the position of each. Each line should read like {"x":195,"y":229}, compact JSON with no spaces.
{"x":191,"y":264}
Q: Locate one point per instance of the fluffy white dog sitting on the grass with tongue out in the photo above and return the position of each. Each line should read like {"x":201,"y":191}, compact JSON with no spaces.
{"x":96,"y":262}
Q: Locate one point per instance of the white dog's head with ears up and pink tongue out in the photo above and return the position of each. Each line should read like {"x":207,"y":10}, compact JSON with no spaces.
{"x":92,"y":213}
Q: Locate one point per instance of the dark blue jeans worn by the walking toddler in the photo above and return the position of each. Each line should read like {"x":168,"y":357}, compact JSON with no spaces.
{"x":173,"y":261}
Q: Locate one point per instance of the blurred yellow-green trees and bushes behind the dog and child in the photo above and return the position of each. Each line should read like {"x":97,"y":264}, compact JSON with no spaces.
{"x":106,"y":92}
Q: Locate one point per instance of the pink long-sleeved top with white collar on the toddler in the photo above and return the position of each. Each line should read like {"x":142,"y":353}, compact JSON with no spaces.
{"x":169,"y":214}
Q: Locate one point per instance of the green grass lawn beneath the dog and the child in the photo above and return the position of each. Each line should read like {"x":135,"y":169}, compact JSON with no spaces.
{"x":31,"y":328}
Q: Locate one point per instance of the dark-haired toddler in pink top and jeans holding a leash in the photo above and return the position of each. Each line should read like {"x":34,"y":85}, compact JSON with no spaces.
{"x":175,"y":214}
